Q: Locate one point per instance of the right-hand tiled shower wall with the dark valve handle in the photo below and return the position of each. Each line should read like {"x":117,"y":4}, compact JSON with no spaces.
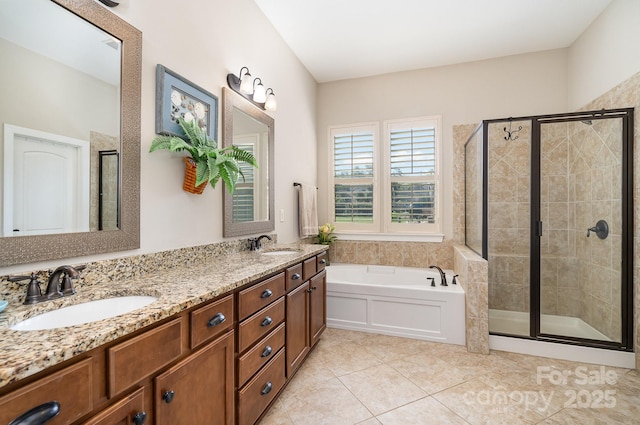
{"x":595,"y":192}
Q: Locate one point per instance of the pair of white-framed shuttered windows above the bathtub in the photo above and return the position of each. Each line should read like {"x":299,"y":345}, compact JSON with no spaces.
{"x":397,"y":193}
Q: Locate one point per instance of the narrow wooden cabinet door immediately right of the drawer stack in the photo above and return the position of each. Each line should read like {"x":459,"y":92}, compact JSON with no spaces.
{"x":297,"y":327}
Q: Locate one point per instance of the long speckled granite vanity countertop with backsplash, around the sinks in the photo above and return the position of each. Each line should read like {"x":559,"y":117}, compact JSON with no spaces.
{"x":180,"y":279}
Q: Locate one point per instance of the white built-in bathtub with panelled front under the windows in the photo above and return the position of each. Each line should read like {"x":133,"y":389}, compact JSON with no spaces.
{"x":395,"y":301}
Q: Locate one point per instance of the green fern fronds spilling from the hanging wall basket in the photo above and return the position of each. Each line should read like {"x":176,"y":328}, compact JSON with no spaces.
{"x":212,"y":163}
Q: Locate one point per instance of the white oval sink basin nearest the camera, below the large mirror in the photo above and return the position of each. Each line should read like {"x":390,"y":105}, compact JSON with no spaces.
{"x":79,"y":314}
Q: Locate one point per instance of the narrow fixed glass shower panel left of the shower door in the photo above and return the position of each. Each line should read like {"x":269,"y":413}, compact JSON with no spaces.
{"x":508,"y":226}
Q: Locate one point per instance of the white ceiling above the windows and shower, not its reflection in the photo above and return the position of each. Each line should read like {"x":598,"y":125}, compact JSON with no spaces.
{"x":341,"y":39}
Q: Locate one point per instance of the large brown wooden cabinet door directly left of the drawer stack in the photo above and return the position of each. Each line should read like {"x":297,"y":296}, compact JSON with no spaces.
{"x":199,"y":389}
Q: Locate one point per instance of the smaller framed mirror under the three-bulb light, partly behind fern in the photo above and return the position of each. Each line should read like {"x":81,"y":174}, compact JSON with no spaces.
{"x":250,"y":209}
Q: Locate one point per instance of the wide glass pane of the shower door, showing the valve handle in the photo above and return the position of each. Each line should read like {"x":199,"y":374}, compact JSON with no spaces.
{"x":580,"y":269}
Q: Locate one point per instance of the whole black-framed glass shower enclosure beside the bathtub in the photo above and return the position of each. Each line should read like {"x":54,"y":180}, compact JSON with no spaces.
{"x":549,"y":204}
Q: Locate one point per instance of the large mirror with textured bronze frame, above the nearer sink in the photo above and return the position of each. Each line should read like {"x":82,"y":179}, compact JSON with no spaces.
{"x":73,"y":87}
